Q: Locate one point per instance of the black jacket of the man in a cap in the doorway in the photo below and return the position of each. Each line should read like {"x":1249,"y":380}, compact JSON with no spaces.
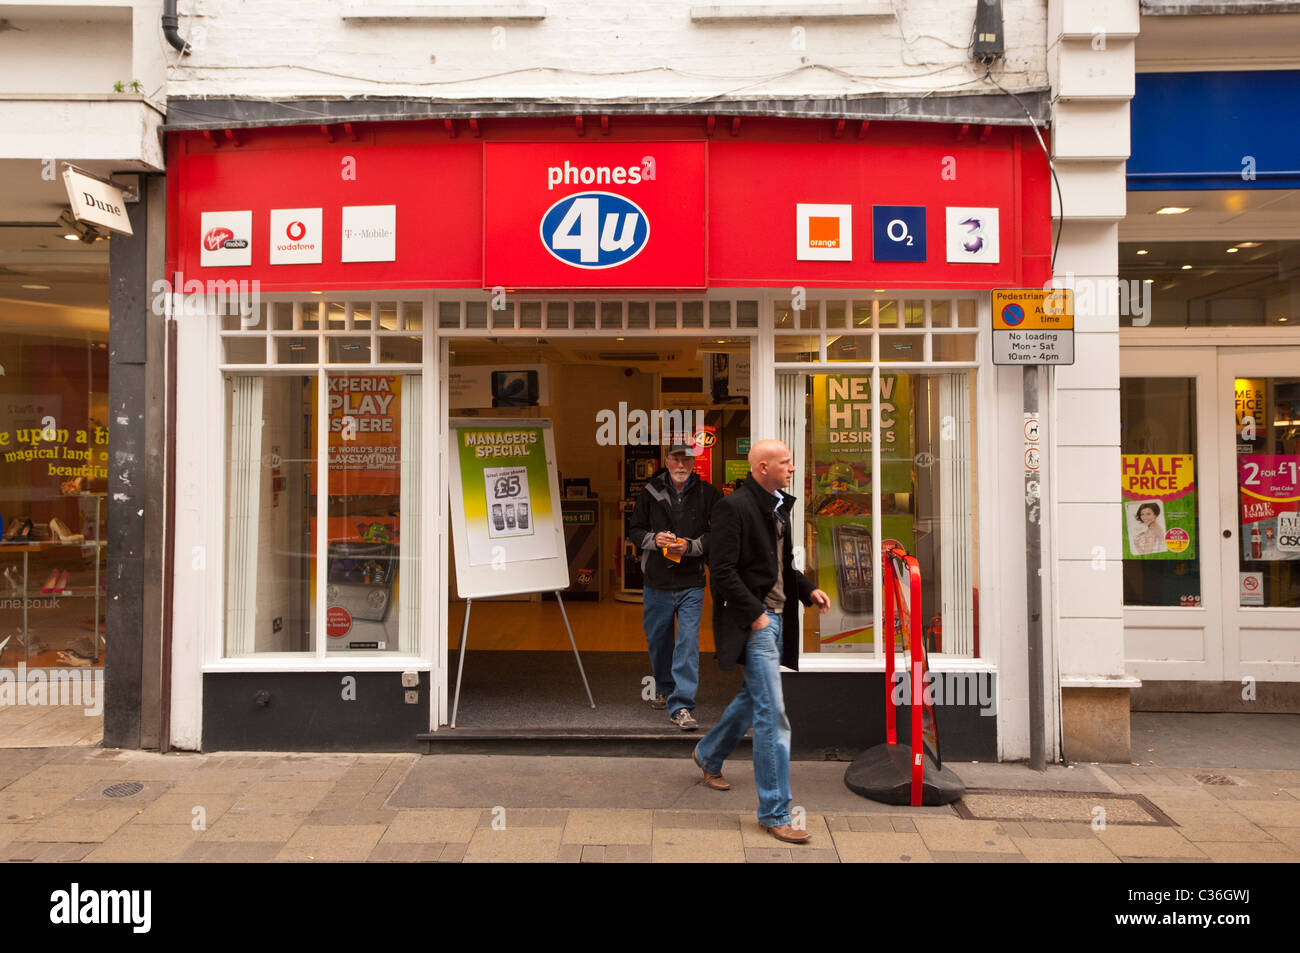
{"x":660,"y":512}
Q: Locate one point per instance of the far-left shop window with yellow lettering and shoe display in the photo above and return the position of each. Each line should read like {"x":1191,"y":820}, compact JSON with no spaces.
{"x":54,"y":480}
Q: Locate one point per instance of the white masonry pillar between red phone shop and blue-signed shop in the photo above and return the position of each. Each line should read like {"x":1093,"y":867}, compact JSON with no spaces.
{"x":1091,"y":60}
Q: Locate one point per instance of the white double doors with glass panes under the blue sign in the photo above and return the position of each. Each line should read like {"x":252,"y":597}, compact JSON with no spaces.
{"x":1211,"y":444}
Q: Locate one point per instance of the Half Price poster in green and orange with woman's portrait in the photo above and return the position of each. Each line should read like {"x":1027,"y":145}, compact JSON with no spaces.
{"x":1159,"y":493}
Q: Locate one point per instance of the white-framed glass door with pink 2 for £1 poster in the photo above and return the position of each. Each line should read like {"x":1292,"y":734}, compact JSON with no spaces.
{"x":1260,"y":512}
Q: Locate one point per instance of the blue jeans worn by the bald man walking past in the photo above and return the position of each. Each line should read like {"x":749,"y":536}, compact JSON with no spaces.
{"x":760,"y":703}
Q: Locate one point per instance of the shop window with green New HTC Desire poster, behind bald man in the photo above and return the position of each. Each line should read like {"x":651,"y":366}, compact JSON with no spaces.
{"x":926,"y":493}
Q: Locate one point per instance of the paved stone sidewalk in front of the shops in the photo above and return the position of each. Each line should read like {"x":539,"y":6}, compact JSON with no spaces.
{"x":1195,"y":804}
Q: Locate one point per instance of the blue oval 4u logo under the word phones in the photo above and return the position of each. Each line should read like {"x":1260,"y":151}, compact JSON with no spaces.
{"x":595,"y":231}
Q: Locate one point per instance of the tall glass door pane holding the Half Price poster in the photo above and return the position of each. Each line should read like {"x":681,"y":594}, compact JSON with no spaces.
{"x":1159,"y":462}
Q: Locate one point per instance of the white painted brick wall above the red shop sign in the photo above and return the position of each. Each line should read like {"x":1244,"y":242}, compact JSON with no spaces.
{"x":635,"y":50}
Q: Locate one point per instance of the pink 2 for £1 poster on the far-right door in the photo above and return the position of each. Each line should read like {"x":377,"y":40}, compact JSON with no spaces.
{"x":1269,"y":491}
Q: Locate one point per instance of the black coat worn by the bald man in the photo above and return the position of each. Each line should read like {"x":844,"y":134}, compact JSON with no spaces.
{"x":743,"y":570}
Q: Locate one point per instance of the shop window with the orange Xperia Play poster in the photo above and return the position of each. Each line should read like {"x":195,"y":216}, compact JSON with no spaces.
{"x":363,"y":431}
